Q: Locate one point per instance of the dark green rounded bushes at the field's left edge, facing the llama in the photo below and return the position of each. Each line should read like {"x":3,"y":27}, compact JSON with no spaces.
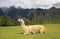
{"x":5,"y":21}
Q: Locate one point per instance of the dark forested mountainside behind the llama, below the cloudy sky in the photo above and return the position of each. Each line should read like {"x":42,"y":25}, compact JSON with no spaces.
{"x":31,"y":16}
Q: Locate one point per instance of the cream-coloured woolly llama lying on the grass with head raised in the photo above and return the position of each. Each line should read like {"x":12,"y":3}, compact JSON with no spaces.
{"x":32,"y":28}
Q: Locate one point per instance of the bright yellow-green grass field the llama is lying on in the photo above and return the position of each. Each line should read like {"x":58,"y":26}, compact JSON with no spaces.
{"x":15,"y":32}
